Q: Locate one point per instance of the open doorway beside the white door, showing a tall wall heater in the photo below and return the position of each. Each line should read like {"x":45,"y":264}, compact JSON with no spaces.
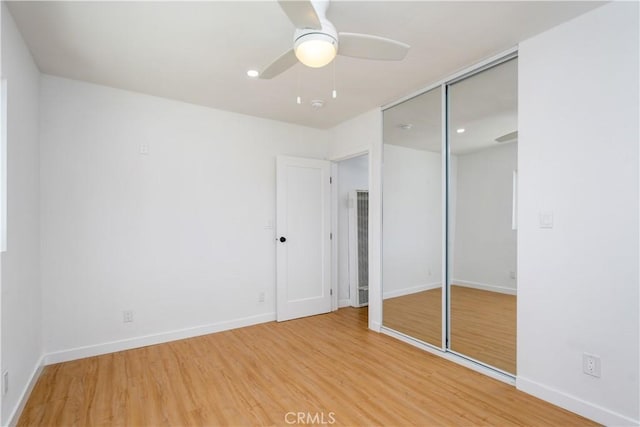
{"x":352,"y":231}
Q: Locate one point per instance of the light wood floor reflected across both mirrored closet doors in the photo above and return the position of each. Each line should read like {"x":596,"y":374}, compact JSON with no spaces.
{"x":483,"y":324}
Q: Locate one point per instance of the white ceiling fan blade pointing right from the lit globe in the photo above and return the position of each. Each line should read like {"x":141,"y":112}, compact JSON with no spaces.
{"x":371,"y":47}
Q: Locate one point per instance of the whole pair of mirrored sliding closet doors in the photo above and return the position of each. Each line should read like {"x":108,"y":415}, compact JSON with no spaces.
{"x":475,"y":286}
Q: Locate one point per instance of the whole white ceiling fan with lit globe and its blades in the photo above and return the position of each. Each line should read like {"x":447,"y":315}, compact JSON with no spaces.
{"x":316,"y":41}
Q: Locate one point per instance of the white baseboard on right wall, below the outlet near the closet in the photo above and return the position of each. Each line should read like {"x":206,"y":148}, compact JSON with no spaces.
{"x":574,"y":404}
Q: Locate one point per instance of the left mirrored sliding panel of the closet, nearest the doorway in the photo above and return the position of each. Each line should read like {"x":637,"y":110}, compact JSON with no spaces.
{"x":412,"y":218}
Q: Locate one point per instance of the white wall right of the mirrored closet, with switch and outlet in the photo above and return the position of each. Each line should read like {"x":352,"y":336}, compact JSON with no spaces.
{"x":578,"y":158}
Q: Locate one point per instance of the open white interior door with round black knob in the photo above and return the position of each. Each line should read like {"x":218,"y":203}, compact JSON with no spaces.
{"x":303,"y":237}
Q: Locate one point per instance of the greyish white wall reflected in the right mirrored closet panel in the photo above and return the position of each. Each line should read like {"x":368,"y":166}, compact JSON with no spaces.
{"x":485,"y":243}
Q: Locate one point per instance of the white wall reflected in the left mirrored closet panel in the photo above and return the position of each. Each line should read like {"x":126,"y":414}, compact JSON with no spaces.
{"x":412,"y":221}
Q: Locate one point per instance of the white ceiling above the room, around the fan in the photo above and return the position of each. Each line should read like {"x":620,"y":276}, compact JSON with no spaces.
{"x":199,"y":52}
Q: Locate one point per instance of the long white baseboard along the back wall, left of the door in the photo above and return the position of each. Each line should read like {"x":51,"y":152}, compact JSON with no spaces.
{"x":131,"y":343}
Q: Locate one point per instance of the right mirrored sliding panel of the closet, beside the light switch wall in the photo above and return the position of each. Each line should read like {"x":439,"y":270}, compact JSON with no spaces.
{"x":482,"y":236}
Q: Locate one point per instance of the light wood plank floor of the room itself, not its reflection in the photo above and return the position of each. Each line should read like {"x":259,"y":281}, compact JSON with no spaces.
{"x":329,"y":364}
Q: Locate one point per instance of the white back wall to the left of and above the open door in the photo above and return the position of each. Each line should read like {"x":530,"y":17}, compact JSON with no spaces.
{"x":182,"y":236}
